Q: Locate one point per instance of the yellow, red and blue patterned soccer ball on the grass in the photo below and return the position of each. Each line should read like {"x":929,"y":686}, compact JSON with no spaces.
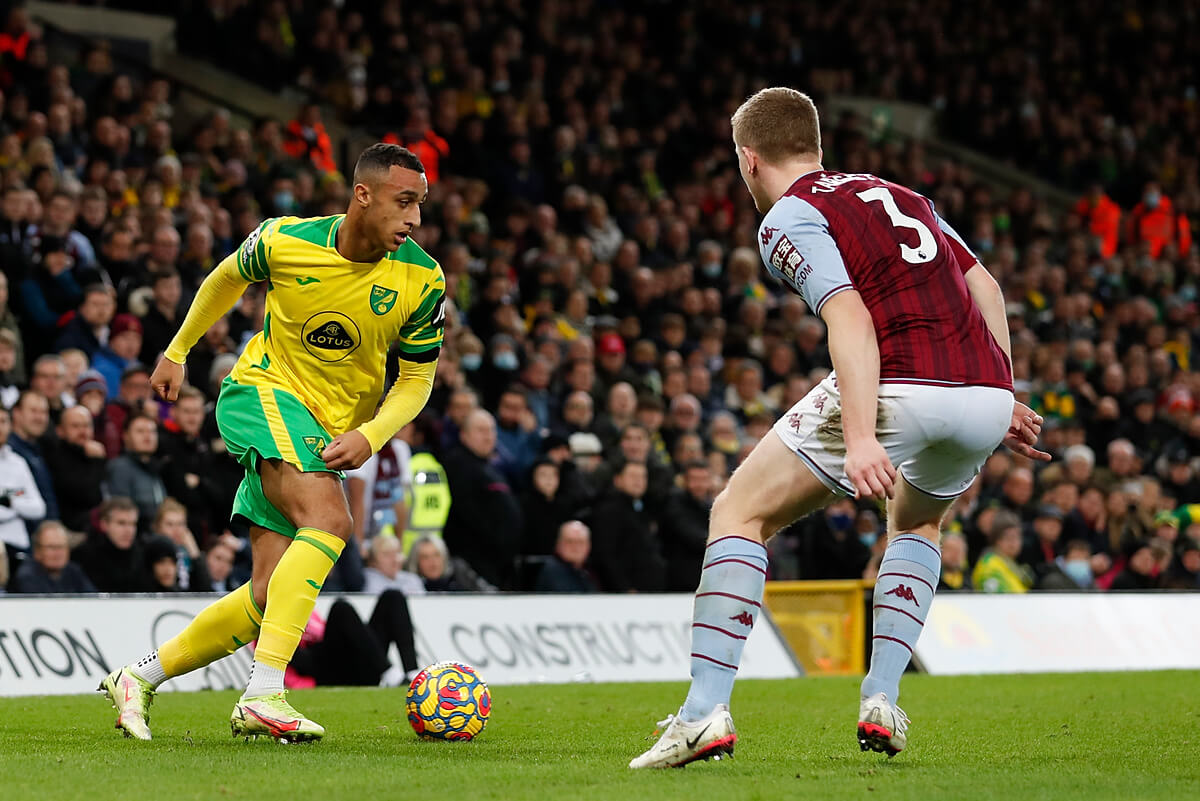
{"x":448,"y":702}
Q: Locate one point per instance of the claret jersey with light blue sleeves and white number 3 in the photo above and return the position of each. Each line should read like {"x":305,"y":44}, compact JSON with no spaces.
{"x":832,"y":232}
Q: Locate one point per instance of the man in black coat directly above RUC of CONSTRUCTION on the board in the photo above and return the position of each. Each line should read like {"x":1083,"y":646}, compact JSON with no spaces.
{"x":625,"y":527}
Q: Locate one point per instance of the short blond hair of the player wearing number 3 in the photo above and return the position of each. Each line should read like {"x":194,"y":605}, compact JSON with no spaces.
{"x":778,"y":124}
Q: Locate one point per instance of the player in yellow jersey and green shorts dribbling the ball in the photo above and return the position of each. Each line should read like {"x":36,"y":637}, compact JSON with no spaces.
{"x":298,"y":409}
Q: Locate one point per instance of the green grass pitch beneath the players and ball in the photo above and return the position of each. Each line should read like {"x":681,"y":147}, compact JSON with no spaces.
{"x":1037,"y":737}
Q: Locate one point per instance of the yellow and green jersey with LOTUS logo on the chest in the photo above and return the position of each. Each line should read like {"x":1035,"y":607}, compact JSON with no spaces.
{"x":329,"y":322}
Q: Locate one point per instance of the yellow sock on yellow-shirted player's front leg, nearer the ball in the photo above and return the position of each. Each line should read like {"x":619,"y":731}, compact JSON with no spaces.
{"x":292,"y":594}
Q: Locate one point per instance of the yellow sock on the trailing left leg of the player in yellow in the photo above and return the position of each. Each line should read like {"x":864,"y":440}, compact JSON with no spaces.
{"x":221,"y":629}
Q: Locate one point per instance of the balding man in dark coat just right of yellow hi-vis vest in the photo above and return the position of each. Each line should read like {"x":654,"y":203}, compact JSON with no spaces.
{"x":485,"y":525}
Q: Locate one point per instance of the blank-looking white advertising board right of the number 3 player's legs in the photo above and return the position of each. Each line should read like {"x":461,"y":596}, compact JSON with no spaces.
{"x":1051,"y":633}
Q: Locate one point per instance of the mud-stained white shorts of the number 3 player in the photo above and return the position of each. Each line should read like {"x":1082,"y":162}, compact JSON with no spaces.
{"x":937,"y":436}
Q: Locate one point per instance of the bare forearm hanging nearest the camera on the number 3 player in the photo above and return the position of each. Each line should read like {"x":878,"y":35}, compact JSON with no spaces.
{"x":856,"y":360}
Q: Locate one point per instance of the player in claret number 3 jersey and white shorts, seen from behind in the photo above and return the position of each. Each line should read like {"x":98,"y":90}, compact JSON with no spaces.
{"x":921,"y":395}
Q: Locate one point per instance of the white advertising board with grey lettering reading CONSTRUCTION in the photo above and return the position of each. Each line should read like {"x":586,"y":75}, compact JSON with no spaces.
{"x":52,"y":646}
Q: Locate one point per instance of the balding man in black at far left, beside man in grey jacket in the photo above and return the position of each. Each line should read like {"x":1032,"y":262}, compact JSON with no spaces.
{"x":76,"y":461}
